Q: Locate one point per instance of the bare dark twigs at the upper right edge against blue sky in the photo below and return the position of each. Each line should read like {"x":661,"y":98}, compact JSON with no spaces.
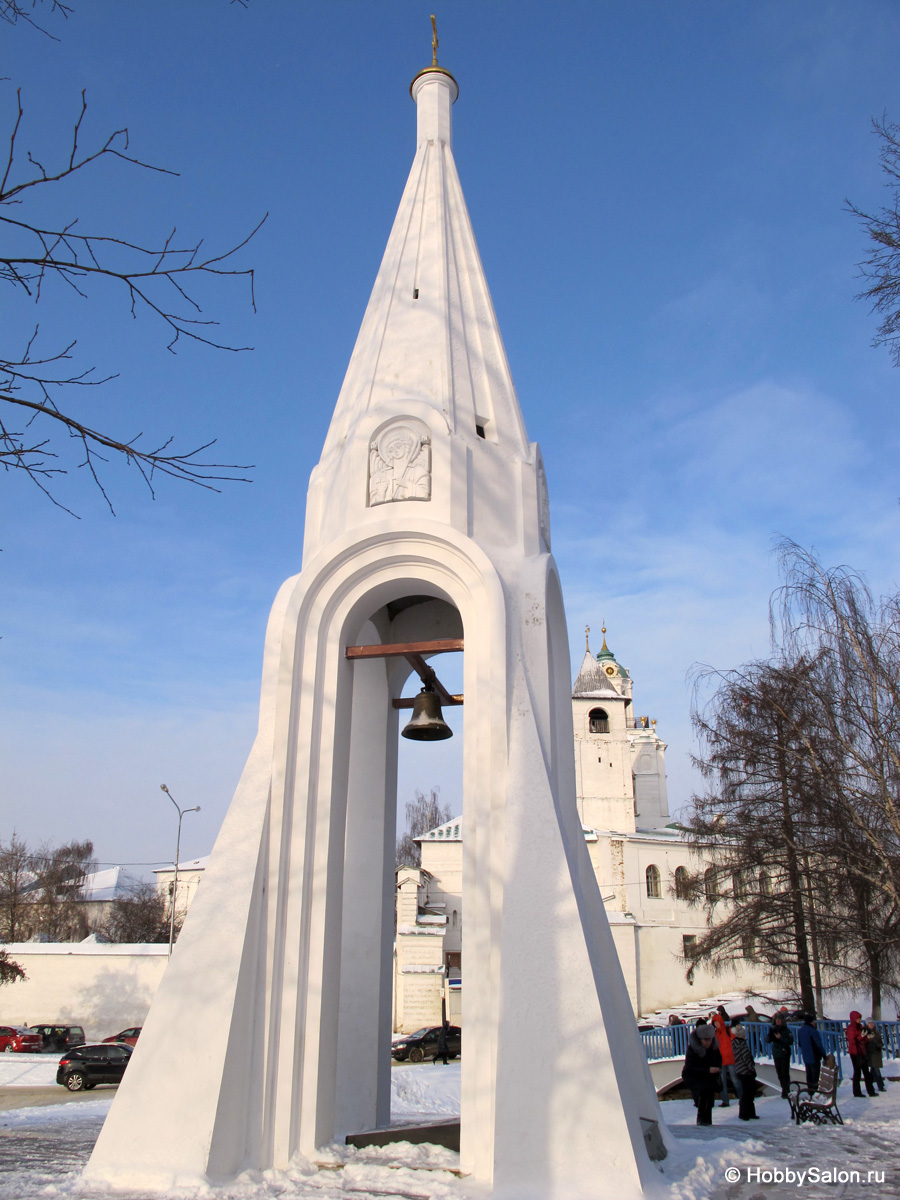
{"x":881,"y":269}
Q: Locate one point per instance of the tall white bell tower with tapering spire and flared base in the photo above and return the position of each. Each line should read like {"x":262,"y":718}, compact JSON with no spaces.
{"x":428,"y":530}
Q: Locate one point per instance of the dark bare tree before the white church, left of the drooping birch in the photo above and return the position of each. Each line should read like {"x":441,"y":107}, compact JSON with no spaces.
{"x":757,"y":825}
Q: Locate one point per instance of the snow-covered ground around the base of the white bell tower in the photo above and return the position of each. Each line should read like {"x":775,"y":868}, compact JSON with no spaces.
{"x":44,"y":1149}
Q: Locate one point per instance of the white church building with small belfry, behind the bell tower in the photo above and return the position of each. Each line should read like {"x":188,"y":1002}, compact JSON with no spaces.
{"x":639,"y":855}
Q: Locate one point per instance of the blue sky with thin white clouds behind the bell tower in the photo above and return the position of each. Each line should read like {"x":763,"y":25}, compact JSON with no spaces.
{"x":657,"y":191}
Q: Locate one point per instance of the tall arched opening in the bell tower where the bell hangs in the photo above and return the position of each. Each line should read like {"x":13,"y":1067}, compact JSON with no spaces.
{"x":422,"y":962}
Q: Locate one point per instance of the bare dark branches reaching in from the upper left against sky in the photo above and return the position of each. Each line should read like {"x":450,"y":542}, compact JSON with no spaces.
{"x":41,"y":386}
